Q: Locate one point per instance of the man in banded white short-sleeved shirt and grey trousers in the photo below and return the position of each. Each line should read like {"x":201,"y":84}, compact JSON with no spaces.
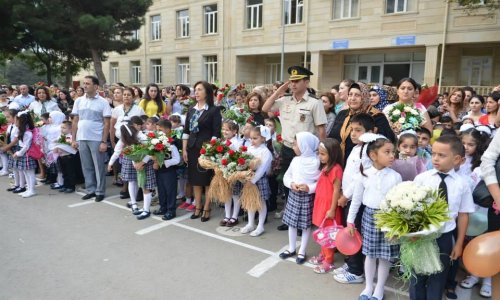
{"x":91,"y":120}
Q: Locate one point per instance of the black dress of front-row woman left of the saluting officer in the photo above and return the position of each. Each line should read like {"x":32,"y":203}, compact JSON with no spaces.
{"x":209,"y":125}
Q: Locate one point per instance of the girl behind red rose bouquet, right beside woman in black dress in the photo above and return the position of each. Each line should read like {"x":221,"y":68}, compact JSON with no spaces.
{"x":230,"y":137}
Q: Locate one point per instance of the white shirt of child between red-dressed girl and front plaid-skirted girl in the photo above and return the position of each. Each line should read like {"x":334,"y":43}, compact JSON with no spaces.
{"x":351,"y":172}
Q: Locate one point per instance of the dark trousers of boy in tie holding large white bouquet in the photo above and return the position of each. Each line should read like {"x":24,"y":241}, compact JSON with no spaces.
{"x":432,"y":287}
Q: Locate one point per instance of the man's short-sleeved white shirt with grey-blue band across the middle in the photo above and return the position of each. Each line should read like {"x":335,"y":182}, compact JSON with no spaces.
{"x":91,"y":113}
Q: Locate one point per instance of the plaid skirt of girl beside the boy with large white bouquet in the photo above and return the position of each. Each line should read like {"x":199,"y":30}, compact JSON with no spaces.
{"x":375,"y":245}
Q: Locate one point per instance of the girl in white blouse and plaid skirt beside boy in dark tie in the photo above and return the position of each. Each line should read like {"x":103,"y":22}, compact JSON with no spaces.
{"x":370,"y":190}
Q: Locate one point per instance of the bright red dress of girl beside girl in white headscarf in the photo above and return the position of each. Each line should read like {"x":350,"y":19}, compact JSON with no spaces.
{"x":323,"y":197}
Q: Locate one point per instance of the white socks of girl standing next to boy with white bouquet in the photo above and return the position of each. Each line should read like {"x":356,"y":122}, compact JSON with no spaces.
{"x":383,"y":273}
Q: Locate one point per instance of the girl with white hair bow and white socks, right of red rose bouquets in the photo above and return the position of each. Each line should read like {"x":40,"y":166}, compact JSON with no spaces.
{"x":261,"y":138}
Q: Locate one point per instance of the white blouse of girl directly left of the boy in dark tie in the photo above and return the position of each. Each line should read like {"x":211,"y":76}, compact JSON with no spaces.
{"x":371,"y":189}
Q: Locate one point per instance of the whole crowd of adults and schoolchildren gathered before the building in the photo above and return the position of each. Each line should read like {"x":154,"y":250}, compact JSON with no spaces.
{"x":332,"y":157}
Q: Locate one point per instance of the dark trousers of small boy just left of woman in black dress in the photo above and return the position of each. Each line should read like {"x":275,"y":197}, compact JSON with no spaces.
{"x":167,"y":189}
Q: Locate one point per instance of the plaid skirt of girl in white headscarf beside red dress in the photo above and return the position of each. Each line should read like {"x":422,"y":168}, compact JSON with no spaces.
{"x":298,"y":210}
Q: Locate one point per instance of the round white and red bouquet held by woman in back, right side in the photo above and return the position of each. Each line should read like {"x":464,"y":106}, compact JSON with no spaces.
{"x":405,"y":117}
